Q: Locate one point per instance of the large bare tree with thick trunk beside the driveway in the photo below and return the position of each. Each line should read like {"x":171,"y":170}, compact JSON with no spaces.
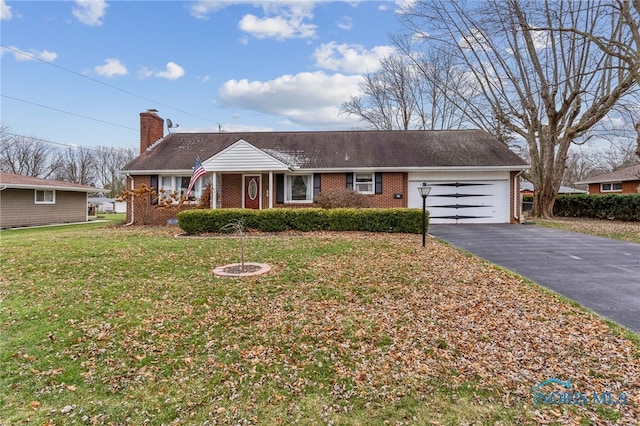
{"x":548,"y":87}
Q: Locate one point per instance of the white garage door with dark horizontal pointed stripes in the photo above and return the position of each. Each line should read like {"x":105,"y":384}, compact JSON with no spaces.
{"x":464,"y":202}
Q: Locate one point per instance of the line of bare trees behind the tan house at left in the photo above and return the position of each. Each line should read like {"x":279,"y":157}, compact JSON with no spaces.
{"x":99,"y":167}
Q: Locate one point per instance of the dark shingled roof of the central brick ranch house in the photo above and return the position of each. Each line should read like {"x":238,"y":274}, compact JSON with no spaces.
{"x":339,"y":150}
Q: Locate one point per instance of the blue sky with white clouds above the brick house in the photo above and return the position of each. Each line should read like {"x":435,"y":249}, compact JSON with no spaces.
{"x":81,"y":72}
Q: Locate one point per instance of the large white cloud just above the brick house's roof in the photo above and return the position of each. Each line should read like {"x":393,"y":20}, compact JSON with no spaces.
{"x":308,"y":99}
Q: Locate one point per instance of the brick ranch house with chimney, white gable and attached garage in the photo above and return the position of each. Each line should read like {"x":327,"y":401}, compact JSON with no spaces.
{"x":474,"y":177}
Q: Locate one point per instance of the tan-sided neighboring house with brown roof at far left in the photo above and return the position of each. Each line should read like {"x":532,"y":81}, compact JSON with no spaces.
{"x":29,"y":201}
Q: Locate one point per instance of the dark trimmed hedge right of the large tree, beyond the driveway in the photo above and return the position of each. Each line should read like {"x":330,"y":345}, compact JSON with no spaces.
{"x":612,"y":206}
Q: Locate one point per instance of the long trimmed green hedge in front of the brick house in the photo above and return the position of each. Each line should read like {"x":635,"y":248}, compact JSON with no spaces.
{"x":399,"y":220}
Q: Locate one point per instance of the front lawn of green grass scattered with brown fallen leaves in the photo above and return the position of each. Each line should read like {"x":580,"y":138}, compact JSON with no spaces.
{"x":128,"y":326}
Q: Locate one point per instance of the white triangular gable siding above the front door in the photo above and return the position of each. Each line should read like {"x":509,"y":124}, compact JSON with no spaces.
{"x":243,"y":157}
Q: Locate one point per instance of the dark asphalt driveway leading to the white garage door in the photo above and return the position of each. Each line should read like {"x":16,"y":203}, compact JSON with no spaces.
{"x":599,"y":273}
